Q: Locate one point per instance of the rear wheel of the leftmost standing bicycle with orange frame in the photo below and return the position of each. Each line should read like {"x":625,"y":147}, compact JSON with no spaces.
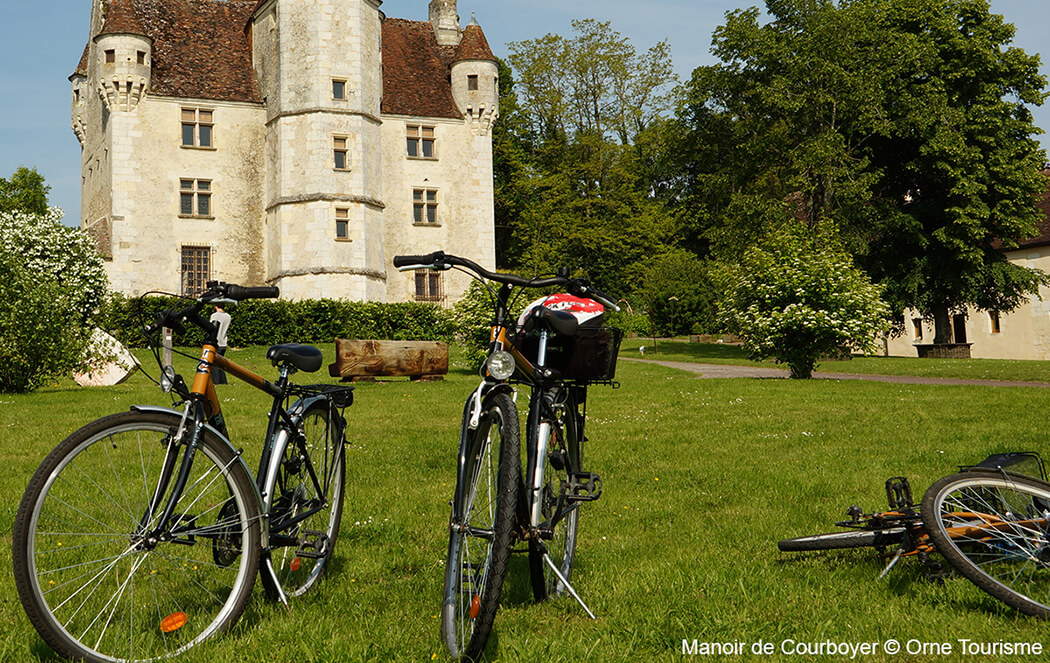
{"x":303,"y":554}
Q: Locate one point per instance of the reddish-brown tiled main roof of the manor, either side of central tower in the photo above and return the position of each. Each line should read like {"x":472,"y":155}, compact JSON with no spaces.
{"x":202,"y":50}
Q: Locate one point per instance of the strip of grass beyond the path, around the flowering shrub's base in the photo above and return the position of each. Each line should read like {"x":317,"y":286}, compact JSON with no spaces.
{"x":1018,"y":370}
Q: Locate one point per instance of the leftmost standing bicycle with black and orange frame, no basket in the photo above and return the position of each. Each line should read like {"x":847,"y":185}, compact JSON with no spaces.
{"x":142,"y":533}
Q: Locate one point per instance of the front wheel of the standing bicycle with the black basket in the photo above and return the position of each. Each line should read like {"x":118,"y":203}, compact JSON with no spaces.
{"x":479,"y":549}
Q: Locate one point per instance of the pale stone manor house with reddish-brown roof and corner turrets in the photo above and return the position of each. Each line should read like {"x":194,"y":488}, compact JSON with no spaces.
{"x":296,"y":143}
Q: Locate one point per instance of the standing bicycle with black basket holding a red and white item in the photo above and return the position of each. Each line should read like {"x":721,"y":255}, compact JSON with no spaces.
{"x":558,"y":348}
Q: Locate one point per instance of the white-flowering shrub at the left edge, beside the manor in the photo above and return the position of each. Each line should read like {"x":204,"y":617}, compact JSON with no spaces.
{"x":52,"y":283}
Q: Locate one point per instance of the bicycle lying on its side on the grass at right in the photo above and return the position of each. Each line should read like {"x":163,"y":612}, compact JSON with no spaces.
{"x":992,"y":525}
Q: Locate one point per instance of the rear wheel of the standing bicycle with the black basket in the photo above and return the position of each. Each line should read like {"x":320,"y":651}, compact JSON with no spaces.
{"x":564,"y":450}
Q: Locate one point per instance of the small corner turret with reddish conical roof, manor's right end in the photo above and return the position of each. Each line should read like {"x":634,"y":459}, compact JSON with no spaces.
{"x":475,"y":78}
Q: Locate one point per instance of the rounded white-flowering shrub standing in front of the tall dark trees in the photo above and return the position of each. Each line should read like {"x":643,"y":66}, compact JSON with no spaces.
{"x":797,"y":299}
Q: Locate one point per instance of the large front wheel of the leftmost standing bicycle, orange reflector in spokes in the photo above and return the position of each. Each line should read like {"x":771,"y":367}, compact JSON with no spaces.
{"x":99,"y":587}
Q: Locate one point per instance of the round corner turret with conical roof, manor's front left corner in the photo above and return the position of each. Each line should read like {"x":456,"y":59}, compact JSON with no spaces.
{"x":124,"y":56}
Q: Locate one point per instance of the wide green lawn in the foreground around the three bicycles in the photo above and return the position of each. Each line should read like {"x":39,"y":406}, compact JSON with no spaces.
{"x":702,"y":479}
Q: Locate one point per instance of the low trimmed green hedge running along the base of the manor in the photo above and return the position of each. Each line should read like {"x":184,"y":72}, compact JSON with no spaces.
{"x":269,"y":322}
